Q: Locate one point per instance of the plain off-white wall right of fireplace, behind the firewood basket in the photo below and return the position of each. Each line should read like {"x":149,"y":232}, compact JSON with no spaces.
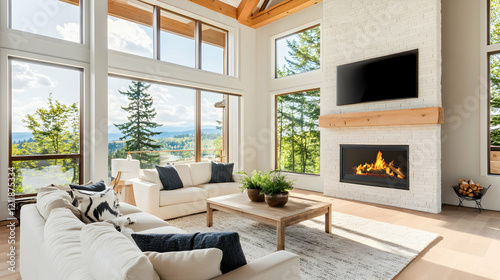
{"x":463,"y":101}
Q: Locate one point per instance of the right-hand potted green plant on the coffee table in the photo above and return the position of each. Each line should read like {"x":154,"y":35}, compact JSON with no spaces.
{"x":276,"y":190}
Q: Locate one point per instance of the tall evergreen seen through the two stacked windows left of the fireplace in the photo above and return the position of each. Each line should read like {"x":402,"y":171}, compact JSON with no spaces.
{"x":298,"y":113}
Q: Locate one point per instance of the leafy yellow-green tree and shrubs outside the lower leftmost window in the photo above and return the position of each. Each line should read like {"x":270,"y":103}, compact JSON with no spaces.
{"x":56,"y":130}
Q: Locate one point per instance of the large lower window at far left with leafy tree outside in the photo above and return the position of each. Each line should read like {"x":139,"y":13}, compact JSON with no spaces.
{"x":45,"y":146}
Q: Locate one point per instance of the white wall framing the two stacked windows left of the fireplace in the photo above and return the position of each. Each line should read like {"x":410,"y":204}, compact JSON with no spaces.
{"x":263,"y":145}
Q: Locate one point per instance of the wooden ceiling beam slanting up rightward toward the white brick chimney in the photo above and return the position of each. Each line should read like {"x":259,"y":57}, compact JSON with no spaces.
{"x":280,"y":11}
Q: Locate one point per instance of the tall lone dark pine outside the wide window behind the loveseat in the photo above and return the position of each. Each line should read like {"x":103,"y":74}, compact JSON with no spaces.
{"x":138,"y":131}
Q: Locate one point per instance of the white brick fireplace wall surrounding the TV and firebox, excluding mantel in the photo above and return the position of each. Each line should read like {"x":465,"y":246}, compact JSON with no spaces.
{"x":362,"y":29}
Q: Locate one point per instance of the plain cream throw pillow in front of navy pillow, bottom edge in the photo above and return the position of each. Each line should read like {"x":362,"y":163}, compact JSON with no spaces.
{"x":194,"y":265}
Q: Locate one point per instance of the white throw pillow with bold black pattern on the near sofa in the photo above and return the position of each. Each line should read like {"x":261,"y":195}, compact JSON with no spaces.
{"x":97,"y":206}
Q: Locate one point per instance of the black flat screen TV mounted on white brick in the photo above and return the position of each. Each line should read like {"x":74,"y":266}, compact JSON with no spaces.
{"x":383,"y":78}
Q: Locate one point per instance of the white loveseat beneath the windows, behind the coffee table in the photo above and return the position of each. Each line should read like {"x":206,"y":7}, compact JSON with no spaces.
{"x":190,"y":199}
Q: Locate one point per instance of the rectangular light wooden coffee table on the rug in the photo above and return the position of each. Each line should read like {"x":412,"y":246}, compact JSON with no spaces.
{"x":295,"y":211}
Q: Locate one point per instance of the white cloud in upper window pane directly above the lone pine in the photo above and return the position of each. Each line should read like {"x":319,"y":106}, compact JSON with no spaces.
{"x":128,"y":37}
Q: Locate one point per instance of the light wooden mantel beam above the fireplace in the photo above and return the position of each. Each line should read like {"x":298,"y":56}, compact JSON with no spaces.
{"x":430,"y":115}
